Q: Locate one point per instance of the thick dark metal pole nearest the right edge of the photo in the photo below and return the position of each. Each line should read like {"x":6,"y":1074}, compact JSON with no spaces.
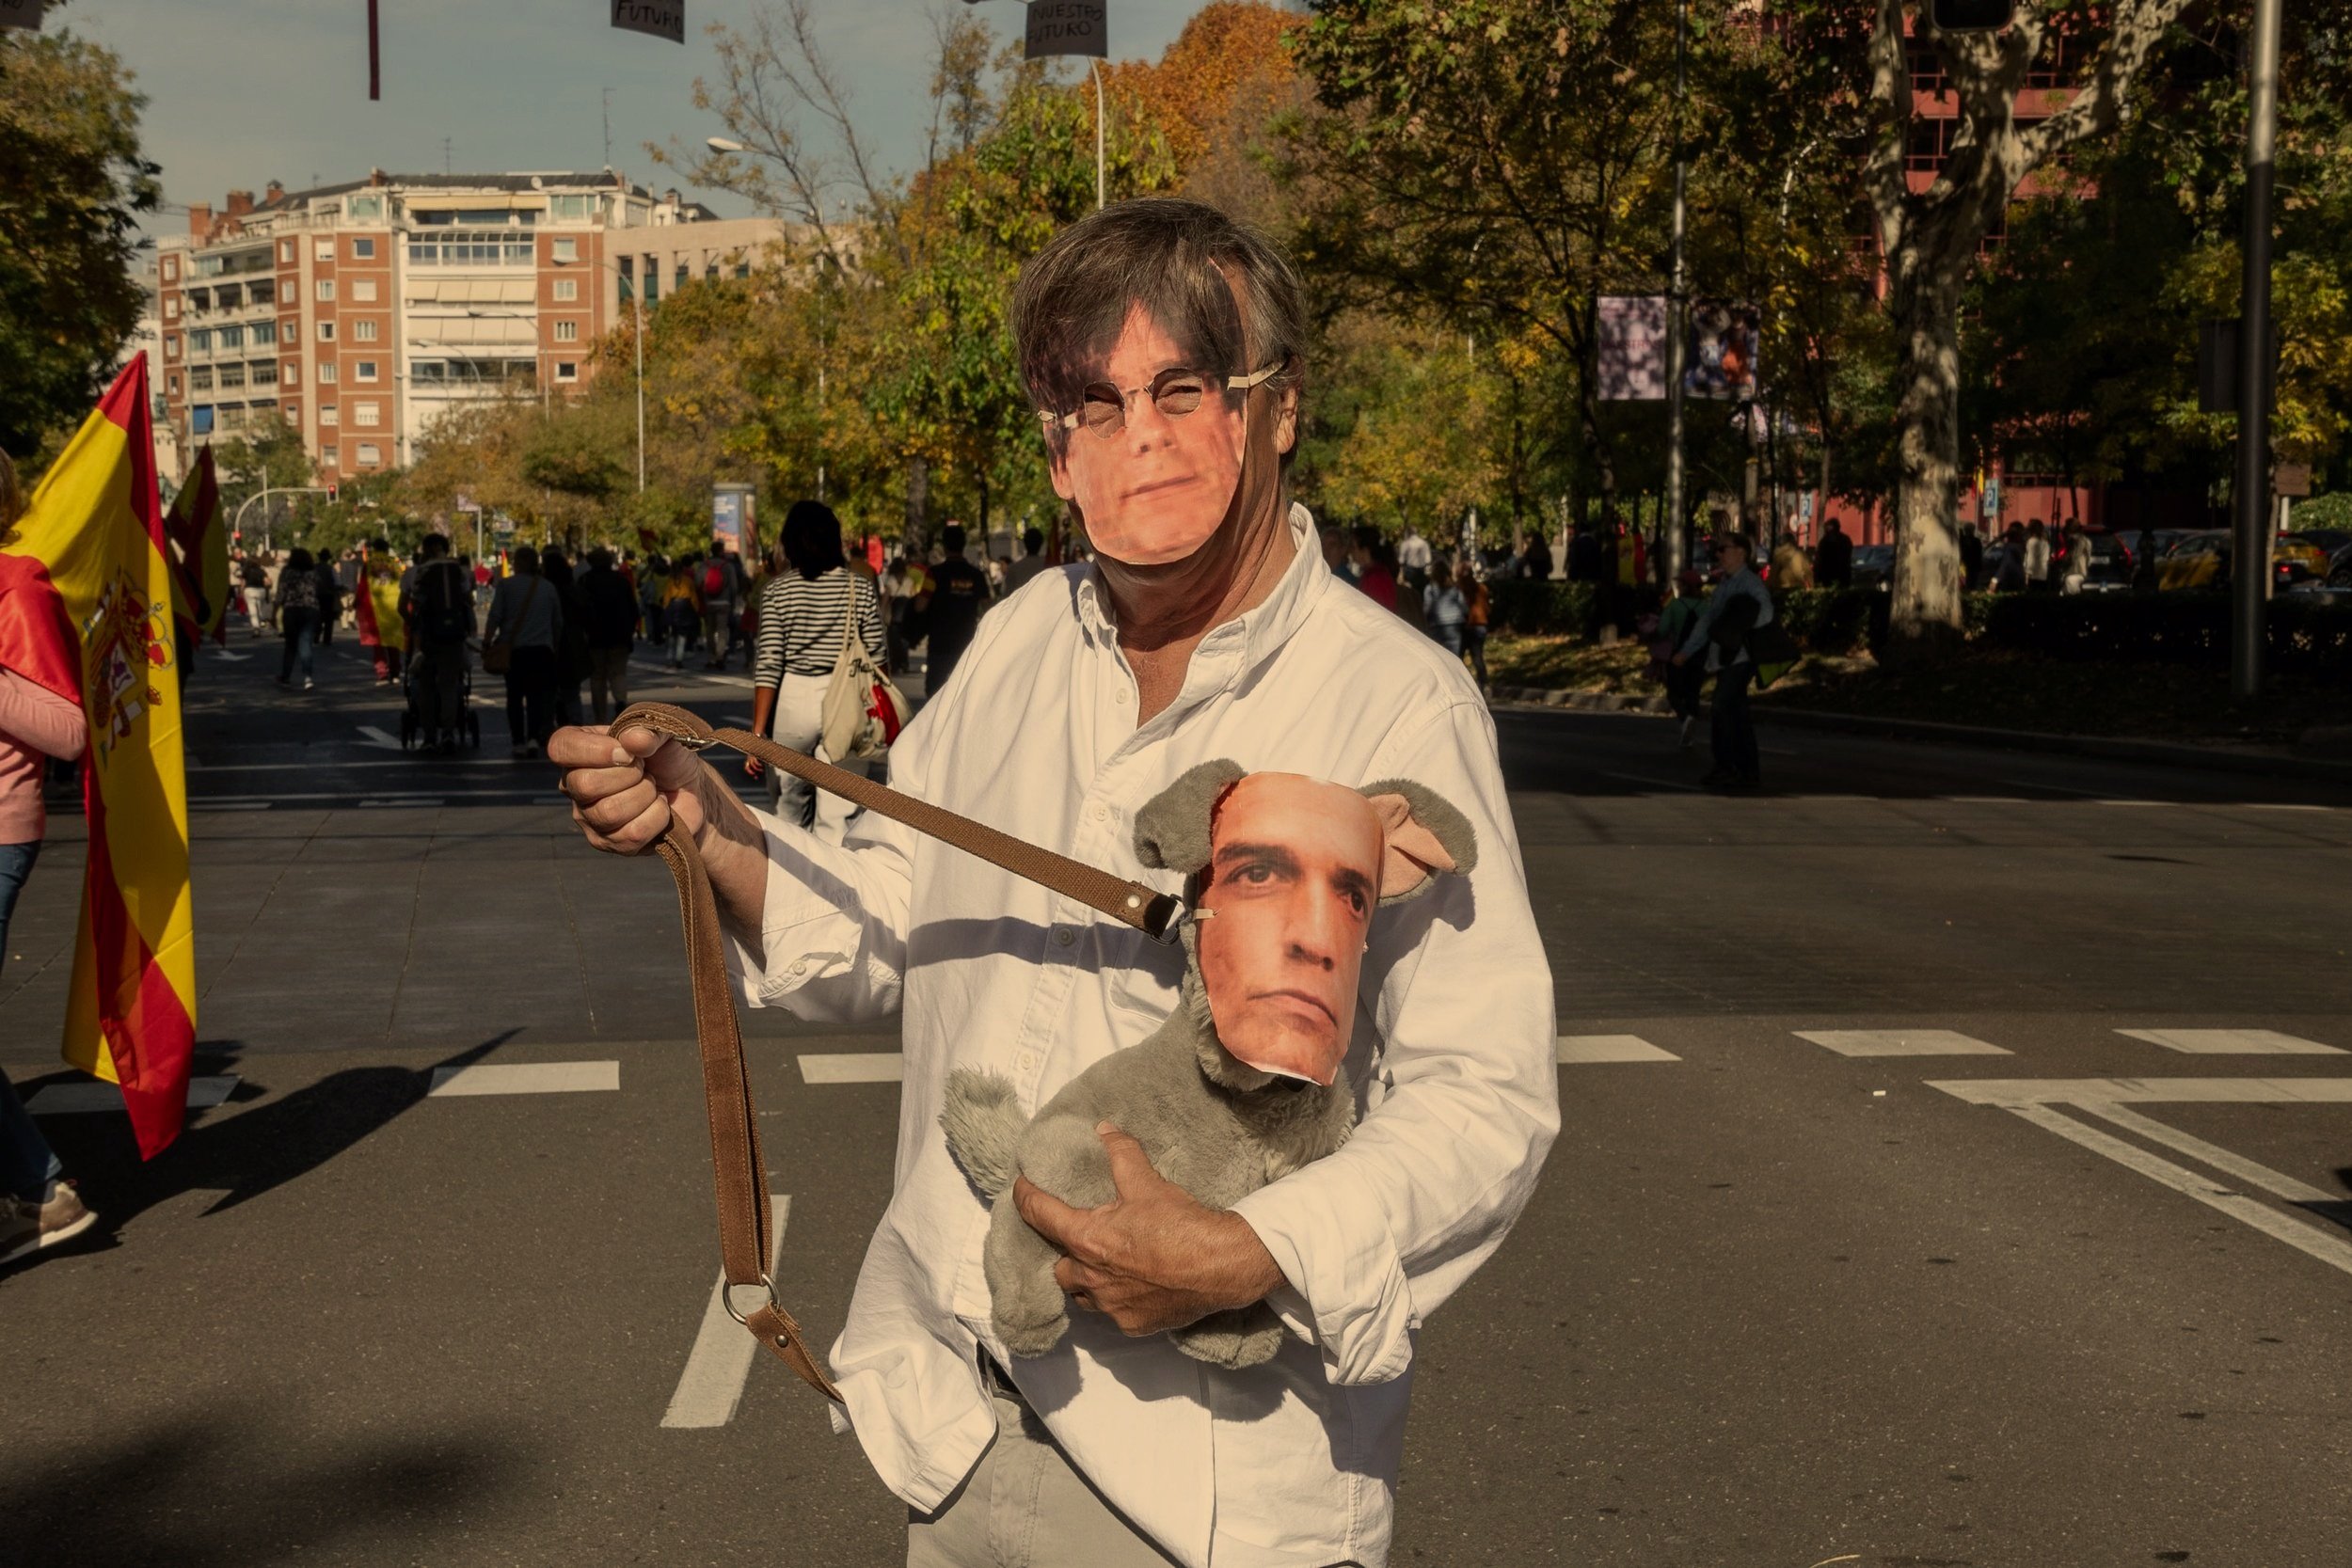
{"x":2252,"y":577}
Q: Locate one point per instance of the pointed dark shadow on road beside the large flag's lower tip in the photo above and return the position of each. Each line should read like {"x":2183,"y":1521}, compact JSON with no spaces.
{"x":246,"y":1155}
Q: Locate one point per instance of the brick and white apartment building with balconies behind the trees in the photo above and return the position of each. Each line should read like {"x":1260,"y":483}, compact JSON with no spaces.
{"x":359,"y":314}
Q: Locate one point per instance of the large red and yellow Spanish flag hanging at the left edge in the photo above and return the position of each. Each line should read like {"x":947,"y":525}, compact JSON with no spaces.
{"x":98,"y":528}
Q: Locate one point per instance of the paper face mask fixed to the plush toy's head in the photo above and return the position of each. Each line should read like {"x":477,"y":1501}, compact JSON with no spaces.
{"x":1295,"y":873}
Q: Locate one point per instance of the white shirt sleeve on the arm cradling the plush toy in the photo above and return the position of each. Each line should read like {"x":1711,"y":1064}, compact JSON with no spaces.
{"x":1384,"y":1231}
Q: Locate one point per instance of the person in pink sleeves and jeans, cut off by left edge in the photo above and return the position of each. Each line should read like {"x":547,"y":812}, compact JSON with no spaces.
{"x":41,"y":716}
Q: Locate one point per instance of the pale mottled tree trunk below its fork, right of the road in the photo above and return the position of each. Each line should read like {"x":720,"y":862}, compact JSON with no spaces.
{"x":1925,"y":619}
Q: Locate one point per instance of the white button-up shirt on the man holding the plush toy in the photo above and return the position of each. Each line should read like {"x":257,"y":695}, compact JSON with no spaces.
{"x":1292,"y":1463}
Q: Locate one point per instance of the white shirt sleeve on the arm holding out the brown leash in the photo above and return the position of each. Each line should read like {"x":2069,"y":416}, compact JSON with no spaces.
{"x":836,"y":916}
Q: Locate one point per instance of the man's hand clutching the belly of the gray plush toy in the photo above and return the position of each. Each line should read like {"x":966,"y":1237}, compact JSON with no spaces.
{"x":1151,"y":1259}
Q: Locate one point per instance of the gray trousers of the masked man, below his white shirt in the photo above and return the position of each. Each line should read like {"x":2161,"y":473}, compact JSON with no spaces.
{"x":1024,"y":1506}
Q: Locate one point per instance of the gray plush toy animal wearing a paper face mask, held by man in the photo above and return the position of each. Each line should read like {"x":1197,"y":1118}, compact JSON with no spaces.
{"x":1243,"y":1085}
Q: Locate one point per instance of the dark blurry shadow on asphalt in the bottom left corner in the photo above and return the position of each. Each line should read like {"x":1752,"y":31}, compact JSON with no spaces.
{"x":208,"y":1492}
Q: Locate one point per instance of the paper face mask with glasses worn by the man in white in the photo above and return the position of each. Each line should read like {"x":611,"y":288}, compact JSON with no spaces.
{"x":1165,"y":483}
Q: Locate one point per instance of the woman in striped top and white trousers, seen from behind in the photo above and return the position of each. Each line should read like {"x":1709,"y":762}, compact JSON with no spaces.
{"x":803,"y":626}
